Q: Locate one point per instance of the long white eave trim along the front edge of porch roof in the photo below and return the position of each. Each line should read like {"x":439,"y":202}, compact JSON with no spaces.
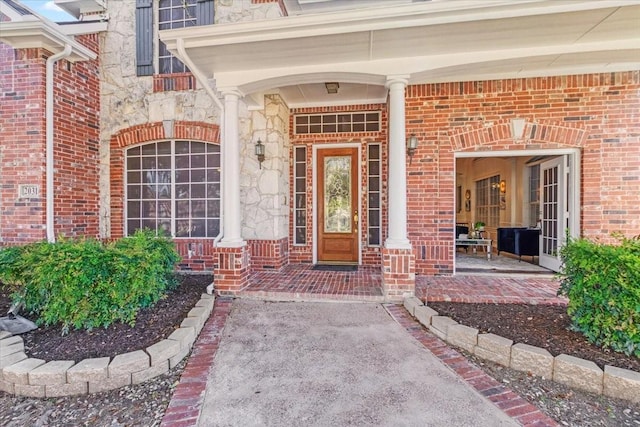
{"x":371,"y":19}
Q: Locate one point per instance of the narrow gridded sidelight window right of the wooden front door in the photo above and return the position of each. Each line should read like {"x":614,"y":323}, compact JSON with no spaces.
{"x":374,"y":211}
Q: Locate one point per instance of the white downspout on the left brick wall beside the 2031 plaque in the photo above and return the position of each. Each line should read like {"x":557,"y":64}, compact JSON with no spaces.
{"x":51,"y":237}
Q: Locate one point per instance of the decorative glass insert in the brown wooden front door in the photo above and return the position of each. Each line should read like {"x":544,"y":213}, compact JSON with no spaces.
{"x":337,"y":194}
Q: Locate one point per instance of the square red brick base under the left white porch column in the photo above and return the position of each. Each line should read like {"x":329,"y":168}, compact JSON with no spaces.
{"x":231,"y":272}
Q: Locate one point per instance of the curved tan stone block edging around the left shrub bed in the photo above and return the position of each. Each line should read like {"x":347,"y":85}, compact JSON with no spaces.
{"x":24,"y":376}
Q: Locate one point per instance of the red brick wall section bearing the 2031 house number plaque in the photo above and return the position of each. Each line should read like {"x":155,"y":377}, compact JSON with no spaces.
{"x":75,"y":129}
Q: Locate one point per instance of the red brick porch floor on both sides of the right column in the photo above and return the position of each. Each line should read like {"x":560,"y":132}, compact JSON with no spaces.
{"x":299,"y":282}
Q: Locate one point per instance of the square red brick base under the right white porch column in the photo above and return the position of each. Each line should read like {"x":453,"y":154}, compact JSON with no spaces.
{"x":398,"y":274}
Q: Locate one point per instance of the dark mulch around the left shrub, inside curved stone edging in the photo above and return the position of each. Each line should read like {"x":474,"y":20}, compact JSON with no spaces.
{"x":153,"y":324}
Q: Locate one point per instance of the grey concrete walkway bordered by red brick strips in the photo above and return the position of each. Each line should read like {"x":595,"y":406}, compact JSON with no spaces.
{"x":281,"y":364}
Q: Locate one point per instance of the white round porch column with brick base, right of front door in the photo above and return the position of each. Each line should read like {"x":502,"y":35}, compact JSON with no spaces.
{"x":398,"y":260}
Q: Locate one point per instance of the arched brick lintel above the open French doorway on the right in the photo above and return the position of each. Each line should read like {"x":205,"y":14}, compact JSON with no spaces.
{"x":537,"y":135}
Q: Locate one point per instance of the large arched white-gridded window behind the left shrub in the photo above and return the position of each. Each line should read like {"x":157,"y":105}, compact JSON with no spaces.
{"x":173,"y":187}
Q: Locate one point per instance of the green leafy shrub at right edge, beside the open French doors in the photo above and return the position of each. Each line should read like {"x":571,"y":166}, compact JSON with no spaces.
{"x":602,"y":283}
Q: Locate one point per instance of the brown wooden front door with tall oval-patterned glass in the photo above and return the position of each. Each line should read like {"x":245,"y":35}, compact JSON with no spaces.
{"x":338,"y":215}
